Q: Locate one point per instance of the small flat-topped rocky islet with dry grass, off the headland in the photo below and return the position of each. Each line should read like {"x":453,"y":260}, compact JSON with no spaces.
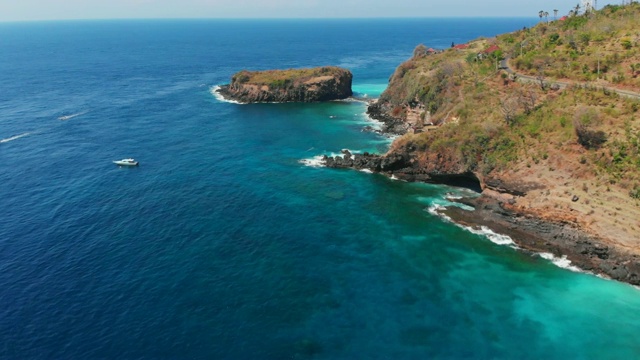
{"x":293,"y":85}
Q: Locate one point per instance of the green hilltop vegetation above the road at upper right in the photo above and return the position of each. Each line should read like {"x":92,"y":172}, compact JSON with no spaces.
{"x":601,"y":46}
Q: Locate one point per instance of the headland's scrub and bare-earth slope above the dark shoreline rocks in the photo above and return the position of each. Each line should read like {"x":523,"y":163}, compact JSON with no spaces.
{"x":565,"y":127}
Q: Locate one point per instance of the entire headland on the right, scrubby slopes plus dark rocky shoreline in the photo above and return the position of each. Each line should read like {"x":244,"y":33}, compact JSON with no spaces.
{"x":542,"y":122}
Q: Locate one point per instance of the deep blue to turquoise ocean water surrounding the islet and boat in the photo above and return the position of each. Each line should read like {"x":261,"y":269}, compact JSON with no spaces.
{"x":222,"y":244}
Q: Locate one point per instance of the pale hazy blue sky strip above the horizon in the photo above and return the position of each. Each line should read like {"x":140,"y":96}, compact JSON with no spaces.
{"x":28,"y":10}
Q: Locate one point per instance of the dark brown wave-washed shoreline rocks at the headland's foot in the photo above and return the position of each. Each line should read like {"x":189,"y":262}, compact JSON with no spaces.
{"x":497,"y":208}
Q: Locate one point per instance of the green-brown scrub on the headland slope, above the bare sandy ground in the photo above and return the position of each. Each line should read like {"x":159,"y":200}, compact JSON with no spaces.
{"x":490,"y":121}
